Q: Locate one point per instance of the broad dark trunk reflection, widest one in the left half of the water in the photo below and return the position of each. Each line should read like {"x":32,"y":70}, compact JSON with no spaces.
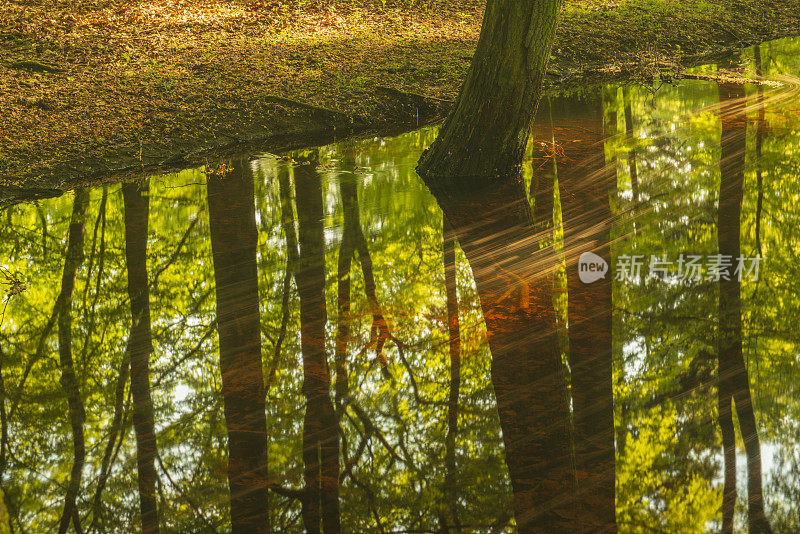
{"x":233,"y":243}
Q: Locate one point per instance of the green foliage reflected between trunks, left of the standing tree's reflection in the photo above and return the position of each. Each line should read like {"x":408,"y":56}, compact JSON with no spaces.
{"x":401,"y":222}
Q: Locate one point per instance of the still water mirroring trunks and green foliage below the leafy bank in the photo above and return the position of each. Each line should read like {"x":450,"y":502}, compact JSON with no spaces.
{"x":320,"y":341}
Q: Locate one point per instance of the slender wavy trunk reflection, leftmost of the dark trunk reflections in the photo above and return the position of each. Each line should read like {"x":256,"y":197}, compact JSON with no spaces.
{"x":69,"y":382}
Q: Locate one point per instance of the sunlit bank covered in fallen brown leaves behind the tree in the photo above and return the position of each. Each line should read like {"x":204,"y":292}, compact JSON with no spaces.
{"x":110,"y":90}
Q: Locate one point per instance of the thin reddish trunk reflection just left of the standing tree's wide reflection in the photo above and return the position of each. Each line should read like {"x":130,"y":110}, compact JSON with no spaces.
{"x":449,"y":256}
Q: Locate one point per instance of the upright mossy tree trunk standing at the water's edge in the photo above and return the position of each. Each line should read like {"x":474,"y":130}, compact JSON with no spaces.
{"x":486,"y":133}
